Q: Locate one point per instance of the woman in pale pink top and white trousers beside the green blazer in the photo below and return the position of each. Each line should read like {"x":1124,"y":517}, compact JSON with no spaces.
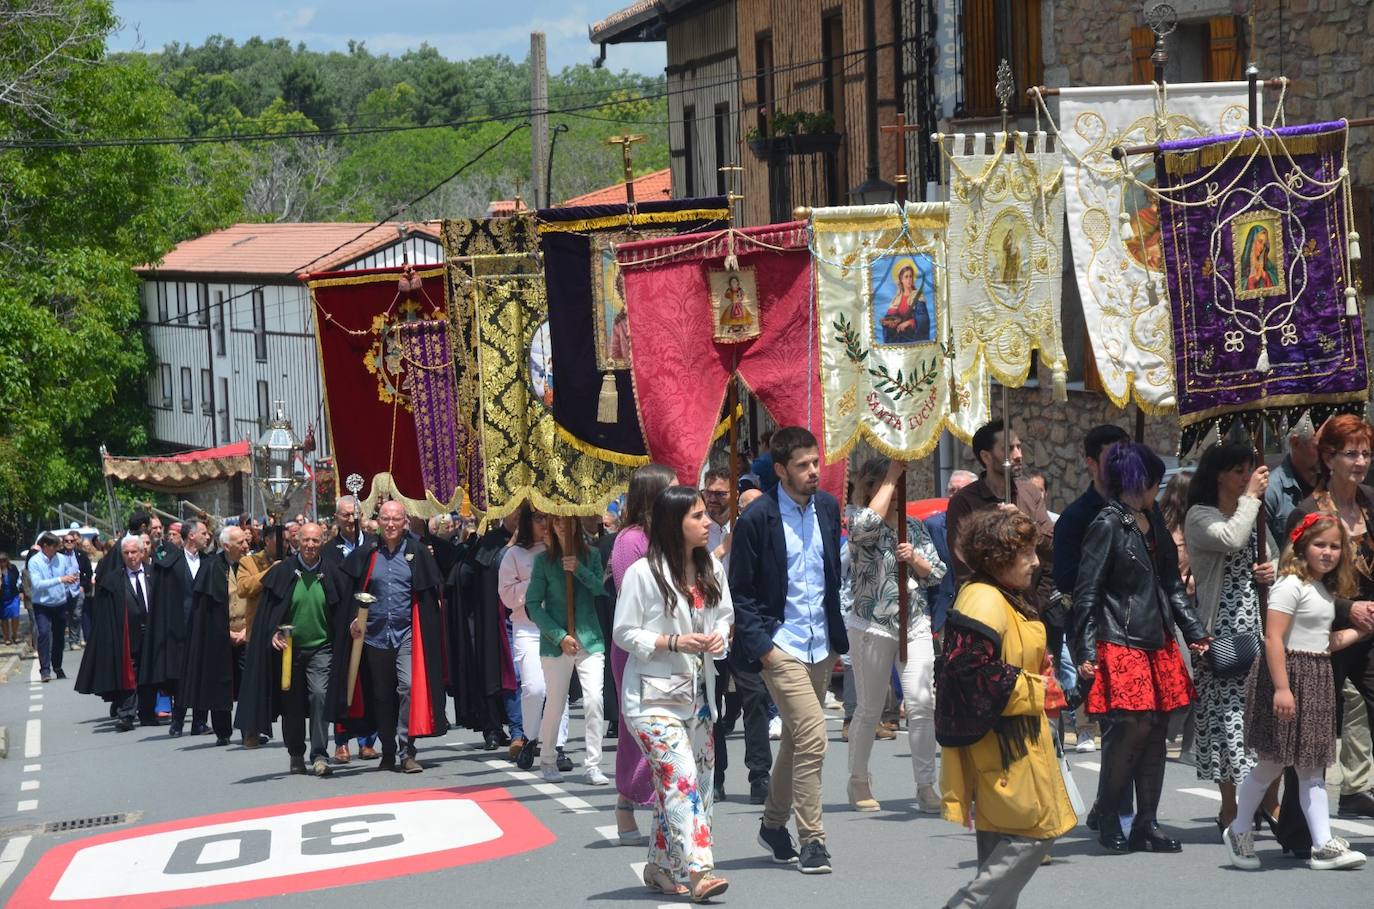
{"x":513,"y":580}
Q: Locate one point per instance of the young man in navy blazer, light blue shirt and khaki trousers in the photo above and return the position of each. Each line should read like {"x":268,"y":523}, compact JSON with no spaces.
{"x":785,"y":587}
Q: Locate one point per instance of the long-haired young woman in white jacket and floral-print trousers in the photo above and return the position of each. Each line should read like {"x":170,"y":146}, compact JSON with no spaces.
{"x":674,"y":617}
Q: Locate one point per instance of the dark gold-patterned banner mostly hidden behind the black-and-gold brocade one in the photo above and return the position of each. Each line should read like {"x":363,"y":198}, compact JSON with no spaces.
{"x":465,"y":238}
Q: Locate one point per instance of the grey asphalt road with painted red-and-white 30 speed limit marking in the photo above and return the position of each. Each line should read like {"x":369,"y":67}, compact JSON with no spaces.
{"x":505,"y":838}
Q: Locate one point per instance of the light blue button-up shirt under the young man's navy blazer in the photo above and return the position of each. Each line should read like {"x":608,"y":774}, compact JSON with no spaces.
{"x":803,"y":632}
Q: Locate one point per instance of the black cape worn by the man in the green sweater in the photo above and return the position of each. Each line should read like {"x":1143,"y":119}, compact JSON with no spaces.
{"x":260,"y":690}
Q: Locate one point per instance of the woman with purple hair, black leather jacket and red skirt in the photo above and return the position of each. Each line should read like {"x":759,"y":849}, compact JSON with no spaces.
{"x":1127,"y":601}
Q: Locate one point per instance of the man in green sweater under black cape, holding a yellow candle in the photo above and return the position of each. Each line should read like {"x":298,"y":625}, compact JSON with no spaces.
{"x":304,"y":594}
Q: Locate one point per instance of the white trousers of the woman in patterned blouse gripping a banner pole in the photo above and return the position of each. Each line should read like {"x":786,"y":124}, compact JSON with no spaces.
{"x":873,"y":656}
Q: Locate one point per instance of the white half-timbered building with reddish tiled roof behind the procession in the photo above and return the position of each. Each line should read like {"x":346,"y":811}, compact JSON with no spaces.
{"x":229,"y":321}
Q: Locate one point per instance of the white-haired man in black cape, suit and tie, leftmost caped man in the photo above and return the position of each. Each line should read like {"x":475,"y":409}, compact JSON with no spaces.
{"x":119,"y":619}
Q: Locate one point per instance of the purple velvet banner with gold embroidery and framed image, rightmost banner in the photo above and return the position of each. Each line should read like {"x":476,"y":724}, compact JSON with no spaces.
{"x":1258,"y":249}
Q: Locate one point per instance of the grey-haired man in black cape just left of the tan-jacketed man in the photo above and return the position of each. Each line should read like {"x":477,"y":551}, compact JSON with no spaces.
{"x":208,"y":683}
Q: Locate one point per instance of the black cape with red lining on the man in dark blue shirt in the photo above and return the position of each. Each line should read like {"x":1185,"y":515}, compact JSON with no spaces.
{"x":428,"y":704}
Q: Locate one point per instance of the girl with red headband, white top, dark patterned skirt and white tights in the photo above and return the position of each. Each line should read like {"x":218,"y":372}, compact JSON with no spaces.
{"x":1291,"y":706}
